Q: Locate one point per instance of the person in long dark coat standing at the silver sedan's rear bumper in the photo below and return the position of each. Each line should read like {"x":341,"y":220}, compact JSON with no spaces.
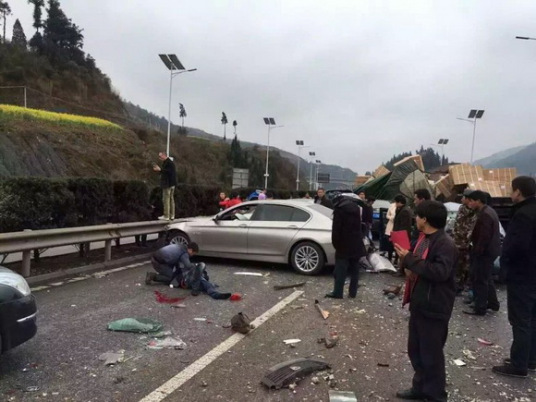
{"x":347,"y":240}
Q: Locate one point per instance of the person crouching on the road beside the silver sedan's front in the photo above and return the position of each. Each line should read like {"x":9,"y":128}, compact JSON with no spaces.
{"x":166,"y":262}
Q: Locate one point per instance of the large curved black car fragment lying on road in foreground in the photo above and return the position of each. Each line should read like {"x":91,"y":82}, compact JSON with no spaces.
{"x":292,"y":371}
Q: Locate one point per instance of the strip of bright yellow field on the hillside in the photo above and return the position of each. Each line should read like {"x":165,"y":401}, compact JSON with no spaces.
{"x":59,"y":118}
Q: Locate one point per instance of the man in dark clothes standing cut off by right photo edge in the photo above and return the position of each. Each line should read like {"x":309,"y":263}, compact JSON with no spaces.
{"x":519,"y":259}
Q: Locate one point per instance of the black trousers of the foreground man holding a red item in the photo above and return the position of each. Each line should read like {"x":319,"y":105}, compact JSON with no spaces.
{"x":426,"y":340}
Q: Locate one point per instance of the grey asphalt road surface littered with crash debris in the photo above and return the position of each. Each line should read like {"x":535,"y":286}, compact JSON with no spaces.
{"x":62,"y":362}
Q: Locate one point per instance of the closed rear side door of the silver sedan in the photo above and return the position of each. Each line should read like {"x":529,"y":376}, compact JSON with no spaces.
{"x":272,"y":228}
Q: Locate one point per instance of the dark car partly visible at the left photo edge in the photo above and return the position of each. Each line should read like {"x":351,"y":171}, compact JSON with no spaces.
{"x":18,"y":310}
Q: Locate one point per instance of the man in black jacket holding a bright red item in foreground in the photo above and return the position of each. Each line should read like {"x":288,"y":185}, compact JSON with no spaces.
{"x":430,"y":290}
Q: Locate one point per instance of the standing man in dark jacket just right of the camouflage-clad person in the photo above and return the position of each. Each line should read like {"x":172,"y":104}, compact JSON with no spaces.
{"x":486,"y":247}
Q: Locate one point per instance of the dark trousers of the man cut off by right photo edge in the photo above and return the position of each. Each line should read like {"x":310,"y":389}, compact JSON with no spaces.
{"x":522,"y":316}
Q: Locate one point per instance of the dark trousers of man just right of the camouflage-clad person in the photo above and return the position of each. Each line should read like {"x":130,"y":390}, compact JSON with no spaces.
{"x":483,"y":287}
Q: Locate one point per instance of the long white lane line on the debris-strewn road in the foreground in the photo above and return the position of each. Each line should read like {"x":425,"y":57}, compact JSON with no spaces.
{"x":189,"y":372}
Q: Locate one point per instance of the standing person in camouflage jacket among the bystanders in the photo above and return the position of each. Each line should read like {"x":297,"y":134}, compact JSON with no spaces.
{"x":461,"y":233}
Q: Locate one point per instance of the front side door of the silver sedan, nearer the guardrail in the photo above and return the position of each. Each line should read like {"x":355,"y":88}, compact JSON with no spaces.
{"x":226,"y":235}
